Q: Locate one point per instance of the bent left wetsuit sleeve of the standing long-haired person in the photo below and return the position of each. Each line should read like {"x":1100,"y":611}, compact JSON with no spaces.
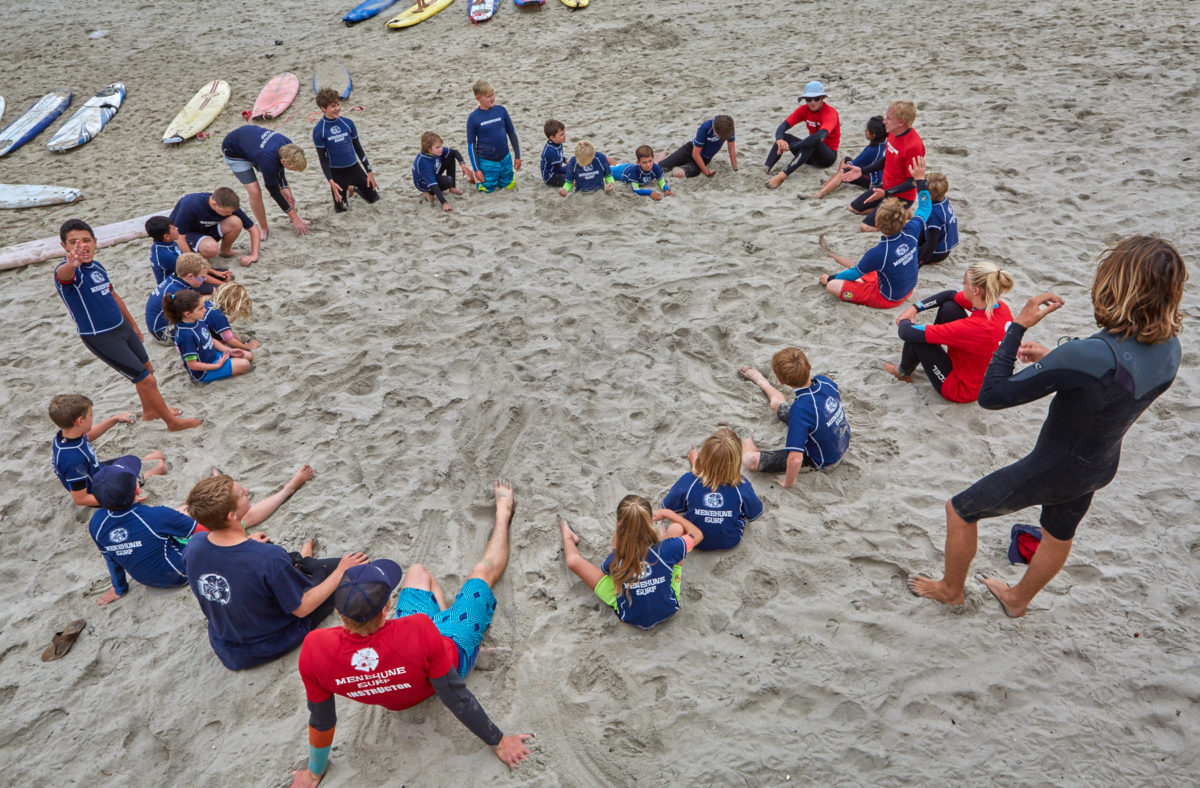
{"x":1060,"y":370}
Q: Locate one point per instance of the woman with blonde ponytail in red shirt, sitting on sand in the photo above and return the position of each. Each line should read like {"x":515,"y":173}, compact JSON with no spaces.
{"x":970,"y":323}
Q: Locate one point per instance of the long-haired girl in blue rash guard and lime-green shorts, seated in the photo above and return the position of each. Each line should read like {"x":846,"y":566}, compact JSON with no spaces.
{"x":640,"y":580}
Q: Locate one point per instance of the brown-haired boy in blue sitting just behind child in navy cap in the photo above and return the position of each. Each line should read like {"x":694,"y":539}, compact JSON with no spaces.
{"x":71,"y":454}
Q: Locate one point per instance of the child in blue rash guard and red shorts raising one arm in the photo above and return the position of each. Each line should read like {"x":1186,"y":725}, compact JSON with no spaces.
{"x":887,"y":274}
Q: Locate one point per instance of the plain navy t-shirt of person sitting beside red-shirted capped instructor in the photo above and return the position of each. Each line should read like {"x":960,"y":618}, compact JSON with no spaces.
{"x":248,"y":593}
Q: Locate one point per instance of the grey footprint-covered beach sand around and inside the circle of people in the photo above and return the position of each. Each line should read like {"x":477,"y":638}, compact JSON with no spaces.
{"x":578,"y":348}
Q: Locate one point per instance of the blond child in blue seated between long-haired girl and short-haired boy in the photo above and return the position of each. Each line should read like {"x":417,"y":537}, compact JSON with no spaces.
{"x":715,"y":496}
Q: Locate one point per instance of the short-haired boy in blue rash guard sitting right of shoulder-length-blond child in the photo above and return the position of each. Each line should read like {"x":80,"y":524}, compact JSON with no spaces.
{"x":818,"y":430}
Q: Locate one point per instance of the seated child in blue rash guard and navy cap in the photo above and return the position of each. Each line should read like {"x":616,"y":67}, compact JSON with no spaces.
{"x":145,"y":542}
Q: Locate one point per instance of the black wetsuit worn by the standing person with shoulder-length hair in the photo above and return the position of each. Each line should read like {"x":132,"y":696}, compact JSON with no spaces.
{"x":1103,"y":384}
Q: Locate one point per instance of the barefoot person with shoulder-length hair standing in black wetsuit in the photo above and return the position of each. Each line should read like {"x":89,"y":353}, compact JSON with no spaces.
{"x":1103,"y":386}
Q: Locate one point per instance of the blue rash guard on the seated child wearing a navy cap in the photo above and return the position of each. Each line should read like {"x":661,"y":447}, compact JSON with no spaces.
{"x":143,"y":542}
